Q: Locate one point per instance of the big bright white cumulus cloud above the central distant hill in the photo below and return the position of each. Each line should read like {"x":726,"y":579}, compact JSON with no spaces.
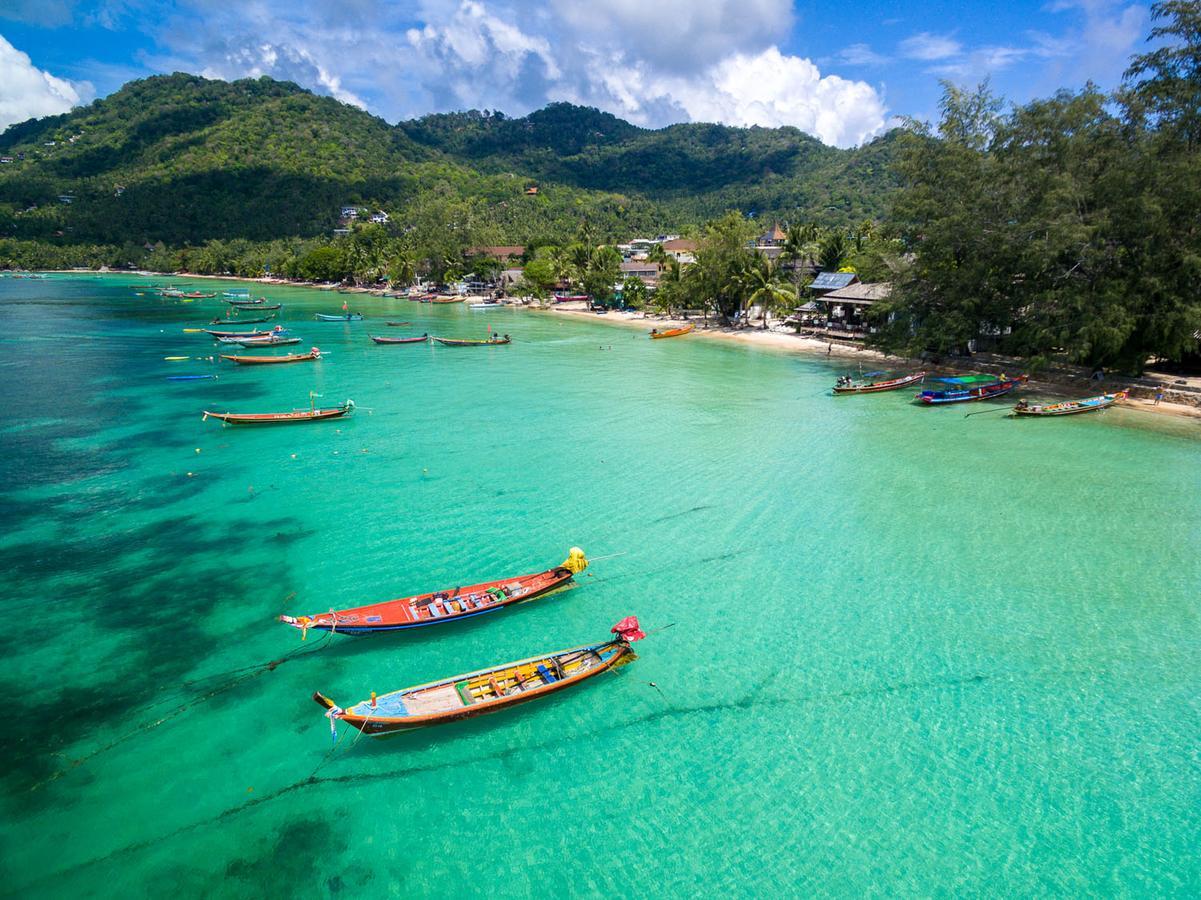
{"x":613,"y":57}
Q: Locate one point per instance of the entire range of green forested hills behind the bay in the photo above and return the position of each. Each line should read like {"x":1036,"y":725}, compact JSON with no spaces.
{"x":182,"y":160}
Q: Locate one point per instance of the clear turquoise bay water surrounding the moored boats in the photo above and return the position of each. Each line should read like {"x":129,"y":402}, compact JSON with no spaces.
{"x":912,"y":653}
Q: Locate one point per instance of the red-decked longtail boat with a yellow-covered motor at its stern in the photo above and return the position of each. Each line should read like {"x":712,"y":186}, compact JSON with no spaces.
{"x":445,"y":606}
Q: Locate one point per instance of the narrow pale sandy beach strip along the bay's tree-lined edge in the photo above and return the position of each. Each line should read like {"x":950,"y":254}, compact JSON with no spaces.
{"x":757,"y":338}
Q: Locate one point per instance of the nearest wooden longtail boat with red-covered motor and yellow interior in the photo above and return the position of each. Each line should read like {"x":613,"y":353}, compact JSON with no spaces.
{"x":487,"y":690}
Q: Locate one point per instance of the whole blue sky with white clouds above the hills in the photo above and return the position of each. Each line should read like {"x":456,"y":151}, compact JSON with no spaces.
{"x":843,"y":73}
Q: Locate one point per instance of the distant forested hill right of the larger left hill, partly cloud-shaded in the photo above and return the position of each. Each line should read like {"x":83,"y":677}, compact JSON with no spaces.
{"x":696,"y":170}
